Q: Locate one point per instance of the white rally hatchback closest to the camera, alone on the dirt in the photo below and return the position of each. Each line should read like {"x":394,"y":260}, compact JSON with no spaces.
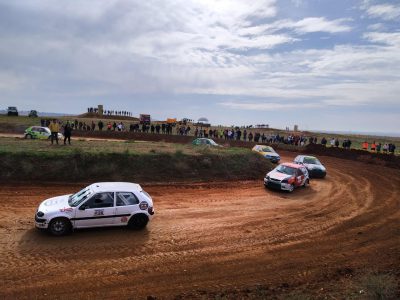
{"x":99,"y":204}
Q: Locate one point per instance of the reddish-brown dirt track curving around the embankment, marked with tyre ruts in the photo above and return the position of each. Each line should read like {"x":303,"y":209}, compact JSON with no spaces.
{"x":211,"y":237}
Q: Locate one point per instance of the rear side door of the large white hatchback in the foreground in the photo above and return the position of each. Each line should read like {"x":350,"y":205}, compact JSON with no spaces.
{"x":127,"y":203}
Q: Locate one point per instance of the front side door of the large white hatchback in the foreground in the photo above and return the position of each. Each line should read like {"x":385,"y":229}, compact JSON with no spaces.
{"x":99,"y":210}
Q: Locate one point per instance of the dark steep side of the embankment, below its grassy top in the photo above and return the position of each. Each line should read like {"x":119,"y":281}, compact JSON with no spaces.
{"x":78,"y":167}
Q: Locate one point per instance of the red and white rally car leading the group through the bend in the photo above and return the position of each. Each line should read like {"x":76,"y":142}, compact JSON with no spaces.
{"x":287,"y":177}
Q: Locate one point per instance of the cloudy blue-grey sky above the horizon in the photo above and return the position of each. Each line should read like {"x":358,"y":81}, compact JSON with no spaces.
{"x":321,"y":64}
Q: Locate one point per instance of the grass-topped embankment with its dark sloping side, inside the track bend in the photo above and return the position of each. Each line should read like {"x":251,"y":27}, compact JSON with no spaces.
{"x":125,"y":161}
